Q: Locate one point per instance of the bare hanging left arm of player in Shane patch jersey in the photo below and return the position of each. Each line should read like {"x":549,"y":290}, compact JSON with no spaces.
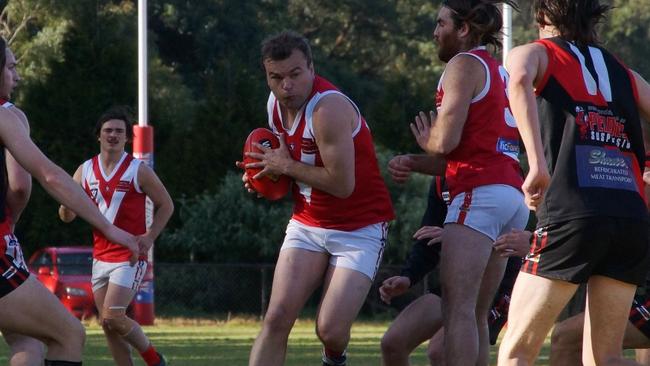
{"x":526,"y":65}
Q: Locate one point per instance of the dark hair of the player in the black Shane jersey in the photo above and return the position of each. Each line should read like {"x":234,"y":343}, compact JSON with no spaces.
{"x":575,"y":20}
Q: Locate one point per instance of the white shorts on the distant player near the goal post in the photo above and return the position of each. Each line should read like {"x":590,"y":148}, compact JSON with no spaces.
{"x":119,"y":273}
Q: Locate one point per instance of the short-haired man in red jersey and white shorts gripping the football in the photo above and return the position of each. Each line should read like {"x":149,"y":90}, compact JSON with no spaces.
{"x":337,"y":233}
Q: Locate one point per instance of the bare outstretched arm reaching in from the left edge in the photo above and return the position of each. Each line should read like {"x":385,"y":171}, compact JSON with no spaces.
{"x":54,"y":179}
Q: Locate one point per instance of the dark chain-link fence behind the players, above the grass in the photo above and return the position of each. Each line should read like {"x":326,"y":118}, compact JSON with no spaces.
{"x":194,"y":290}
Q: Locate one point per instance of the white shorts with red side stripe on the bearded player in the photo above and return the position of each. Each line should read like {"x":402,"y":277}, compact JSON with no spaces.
{"x":492,"y":210}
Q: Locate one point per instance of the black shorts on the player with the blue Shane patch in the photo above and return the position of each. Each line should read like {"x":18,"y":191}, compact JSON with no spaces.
{"x":577,"y":249}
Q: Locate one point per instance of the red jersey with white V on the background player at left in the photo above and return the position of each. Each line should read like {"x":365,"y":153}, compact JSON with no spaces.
{"x":120,"y":199}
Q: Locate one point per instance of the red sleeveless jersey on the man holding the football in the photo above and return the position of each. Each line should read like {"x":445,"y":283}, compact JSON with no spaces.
{"x":369,"y":202}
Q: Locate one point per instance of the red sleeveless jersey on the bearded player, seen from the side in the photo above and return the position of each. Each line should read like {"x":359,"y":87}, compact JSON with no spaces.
{"x":488,"y":149}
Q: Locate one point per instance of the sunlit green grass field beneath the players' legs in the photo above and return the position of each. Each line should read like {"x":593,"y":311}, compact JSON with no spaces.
{"x":194,"y":343}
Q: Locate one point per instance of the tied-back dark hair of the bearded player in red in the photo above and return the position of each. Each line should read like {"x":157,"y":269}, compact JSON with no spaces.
{"x":482,"y":16}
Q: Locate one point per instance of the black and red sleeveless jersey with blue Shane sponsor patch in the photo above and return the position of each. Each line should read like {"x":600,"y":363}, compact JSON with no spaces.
{"x":591,"y":132}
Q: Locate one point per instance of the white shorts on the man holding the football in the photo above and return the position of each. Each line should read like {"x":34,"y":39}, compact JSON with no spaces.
{"x":359,"y":250}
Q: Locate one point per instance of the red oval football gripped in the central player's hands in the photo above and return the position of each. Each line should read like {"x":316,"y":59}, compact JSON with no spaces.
{"x":270,"y":187}
